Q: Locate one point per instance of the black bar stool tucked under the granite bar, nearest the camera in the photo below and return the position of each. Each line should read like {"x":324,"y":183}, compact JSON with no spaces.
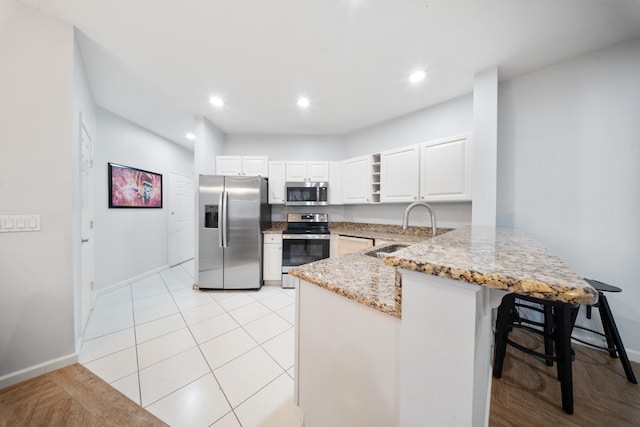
{"x":556,"y":330}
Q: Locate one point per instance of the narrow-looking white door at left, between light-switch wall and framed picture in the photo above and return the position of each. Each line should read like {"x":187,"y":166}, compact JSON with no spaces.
{"x":87,"y":293}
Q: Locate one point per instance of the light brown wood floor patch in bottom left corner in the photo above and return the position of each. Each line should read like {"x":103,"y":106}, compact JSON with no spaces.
{"x":72,"y":396}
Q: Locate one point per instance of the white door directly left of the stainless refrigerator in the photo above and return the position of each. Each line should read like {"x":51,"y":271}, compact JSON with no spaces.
{"x":181,"y":223}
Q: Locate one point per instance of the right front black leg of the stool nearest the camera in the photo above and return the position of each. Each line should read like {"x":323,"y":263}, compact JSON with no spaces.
{"x":563,"y":352}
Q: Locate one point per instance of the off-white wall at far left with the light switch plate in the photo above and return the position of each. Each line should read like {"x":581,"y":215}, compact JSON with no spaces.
{"x":36,"y":281}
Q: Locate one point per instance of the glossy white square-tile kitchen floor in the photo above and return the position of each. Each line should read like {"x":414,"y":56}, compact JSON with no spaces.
{"x":194,"y":358}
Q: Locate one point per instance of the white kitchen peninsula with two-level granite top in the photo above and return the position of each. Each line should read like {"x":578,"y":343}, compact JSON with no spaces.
{"x":407,"y":340}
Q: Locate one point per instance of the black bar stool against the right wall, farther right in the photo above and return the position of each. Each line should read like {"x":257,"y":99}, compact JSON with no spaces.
{"x":611,"y":334}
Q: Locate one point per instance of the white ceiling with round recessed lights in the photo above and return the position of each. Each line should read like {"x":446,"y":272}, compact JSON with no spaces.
{"x":157,"y":63}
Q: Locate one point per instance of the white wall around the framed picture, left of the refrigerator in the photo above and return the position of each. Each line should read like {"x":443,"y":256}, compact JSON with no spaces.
{"x":131,"y":242}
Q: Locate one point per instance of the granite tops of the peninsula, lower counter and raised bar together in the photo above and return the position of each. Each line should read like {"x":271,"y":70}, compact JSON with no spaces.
{"x":499,"y":258}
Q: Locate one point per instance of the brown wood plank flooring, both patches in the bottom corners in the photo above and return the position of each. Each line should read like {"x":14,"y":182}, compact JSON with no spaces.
{"x":528,"y":394}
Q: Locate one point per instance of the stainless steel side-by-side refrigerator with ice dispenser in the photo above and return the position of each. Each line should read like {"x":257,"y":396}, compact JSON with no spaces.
{"x":233,"y":213}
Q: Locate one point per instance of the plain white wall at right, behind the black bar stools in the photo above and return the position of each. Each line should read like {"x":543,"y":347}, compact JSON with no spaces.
{"x":568,"y":155}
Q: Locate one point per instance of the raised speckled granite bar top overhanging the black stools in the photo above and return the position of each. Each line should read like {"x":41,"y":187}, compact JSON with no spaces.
{"x":499,"y":258}
